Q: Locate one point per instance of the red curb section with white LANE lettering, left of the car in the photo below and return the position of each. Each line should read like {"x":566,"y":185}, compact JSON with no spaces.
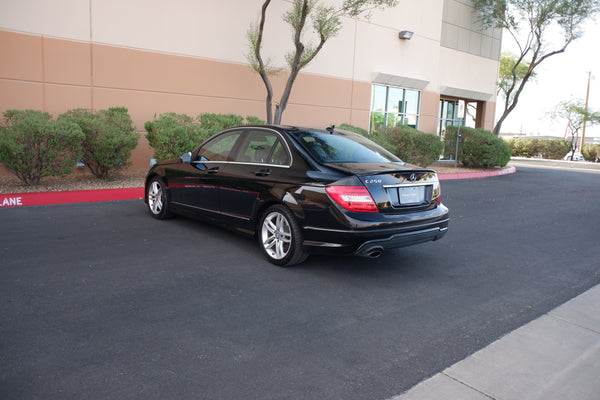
{"x":78,"y":196}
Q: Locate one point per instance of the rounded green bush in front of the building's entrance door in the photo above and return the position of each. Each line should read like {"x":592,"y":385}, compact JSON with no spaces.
{"x":477,"y":148}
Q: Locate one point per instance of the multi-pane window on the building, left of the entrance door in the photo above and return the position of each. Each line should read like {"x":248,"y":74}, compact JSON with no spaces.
{"x":393,"y":106}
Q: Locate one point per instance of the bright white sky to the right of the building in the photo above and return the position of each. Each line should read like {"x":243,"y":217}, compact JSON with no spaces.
{"x":560,"y":77}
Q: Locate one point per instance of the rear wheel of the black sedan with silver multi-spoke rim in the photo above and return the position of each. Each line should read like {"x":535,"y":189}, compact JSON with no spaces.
{"x":280,"y":237}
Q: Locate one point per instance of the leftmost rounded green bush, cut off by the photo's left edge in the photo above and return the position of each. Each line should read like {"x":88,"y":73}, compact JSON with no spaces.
{"x":33,"y":145}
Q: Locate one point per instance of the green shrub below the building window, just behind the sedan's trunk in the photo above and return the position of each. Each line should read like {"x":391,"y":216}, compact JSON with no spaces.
{"x":412,"y":145}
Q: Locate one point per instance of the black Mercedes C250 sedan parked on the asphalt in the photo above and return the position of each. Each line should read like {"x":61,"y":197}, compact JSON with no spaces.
{"x":302,"y":191}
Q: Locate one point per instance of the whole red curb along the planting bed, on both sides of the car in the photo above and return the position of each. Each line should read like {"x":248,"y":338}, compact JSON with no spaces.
{"x":87,"y":196}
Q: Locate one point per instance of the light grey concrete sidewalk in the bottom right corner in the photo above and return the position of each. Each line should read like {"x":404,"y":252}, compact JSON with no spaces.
{"x":556,"y":356}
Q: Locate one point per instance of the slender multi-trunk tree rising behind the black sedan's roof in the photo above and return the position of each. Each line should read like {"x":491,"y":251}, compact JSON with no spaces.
{"x":326,"y":23}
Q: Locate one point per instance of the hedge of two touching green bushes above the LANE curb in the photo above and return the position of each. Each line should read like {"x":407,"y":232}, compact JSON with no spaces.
{"x":34,"y":145}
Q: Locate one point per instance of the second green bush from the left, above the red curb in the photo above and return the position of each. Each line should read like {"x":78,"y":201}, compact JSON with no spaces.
{"x":109,"y":138}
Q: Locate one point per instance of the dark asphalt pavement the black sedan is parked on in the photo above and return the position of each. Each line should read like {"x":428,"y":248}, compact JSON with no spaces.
{"x":98,"y":300}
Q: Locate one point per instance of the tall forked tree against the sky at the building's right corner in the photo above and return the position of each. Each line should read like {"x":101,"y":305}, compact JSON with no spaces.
{"x":532,"y":23}
